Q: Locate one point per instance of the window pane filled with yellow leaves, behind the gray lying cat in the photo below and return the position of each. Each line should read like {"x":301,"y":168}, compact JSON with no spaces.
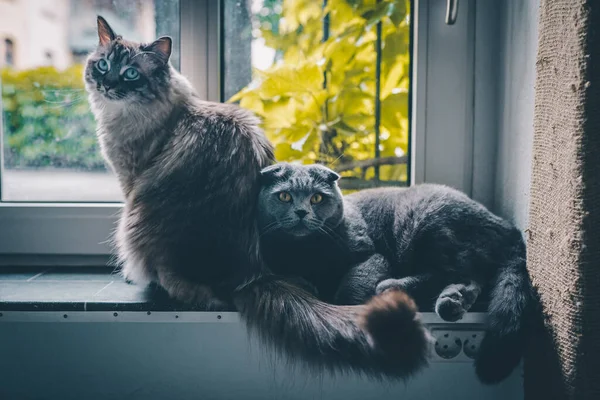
{"x":330,"y":79}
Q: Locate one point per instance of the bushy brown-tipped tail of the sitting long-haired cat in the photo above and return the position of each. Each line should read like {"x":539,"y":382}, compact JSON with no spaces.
{"x":381,"y":339}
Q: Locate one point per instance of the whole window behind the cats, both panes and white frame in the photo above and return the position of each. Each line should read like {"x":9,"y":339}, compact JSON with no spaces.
{"x":57,"y":197}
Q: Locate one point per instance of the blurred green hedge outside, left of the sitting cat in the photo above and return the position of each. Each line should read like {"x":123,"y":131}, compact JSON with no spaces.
{"x":47,"y":121}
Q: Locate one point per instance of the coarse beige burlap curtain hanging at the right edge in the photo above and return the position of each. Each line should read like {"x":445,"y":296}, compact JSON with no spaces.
{"x":564,"y":231}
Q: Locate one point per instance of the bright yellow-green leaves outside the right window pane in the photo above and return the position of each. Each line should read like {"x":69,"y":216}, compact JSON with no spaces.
{"x":317,"y":103}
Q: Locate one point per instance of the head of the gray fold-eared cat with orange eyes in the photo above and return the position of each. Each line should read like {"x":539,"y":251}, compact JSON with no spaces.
{"x":299,"y":201}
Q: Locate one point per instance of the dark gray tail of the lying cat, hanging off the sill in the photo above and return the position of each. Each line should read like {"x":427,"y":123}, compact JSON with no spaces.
{"x":509,"y":309}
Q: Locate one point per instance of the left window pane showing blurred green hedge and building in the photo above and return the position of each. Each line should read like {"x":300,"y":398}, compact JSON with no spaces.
{"x":50,"y":152}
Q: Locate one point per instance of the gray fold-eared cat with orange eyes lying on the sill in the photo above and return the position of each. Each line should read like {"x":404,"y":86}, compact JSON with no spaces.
{"x":429,"y":241}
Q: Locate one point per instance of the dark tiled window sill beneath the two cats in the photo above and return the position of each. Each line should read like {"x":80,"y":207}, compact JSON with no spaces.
{"x":87,"y":289}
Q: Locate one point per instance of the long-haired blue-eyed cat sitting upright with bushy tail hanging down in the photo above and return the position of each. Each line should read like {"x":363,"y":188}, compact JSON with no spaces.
{"x":189,"y":170}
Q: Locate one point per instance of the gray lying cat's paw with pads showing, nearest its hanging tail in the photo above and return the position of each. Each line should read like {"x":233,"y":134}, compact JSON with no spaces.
{"x":456,"y":299}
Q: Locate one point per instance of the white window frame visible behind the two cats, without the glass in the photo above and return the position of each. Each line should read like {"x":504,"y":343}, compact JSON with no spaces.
{"x":443,"y":143}
